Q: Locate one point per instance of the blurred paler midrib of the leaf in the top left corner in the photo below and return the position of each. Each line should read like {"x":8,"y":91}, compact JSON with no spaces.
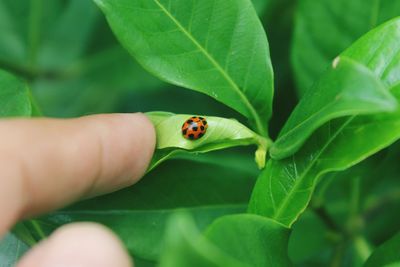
{"x":36,"y":8}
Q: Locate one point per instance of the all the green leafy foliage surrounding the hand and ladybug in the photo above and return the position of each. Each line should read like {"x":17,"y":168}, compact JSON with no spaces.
{"x":326,"y":172}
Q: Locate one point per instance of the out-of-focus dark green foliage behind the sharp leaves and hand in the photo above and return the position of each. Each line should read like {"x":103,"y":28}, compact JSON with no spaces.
{"x":66,"y":52}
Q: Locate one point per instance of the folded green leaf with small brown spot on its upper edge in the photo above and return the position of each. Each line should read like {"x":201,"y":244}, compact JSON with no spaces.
{"x":349,"y":88}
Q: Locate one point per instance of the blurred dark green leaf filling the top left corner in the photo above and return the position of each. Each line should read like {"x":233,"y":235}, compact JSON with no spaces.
{"x":35,"y":32}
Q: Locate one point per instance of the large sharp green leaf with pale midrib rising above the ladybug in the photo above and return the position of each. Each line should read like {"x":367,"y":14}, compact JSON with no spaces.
{"x":182,"y":42}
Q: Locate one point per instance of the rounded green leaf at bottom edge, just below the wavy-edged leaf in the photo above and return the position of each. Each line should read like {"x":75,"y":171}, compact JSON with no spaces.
{"x":251,"y":239}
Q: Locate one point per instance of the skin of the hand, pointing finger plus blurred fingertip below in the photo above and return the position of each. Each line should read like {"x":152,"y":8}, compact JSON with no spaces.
{"x":48,"y":163}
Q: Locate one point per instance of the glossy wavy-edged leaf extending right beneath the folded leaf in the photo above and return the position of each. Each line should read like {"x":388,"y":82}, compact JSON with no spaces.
{"x":285,"y":187}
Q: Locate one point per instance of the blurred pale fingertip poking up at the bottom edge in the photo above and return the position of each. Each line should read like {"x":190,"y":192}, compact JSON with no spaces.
{"x":79,"y":244}
